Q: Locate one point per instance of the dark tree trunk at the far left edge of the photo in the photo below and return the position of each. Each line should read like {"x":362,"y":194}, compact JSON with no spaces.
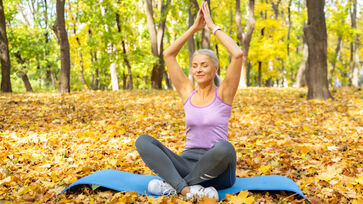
{"x":4,"y":53}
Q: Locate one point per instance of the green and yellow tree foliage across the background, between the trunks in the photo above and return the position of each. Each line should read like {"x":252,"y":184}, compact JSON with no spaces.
{"x":95,"y":39}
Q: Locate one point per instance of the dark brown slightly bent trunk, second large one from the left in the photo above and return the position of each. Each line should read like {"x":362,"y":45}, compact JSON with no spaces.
{"x":61,"y":33}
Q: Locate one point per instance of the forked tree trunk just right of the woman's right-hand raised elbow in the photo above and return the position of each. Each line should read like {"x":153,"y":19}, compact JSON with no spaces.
{"x":245,"y":40}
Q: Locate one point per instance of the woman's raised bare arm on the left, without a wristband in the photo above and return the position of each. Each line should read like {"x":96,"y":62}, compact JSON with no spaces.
{"x":181,"y":82}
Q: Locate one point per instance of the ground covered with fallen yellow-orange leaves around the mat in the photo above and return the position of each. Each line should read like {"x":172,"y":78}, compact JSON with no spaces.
{"x":49,"y":140}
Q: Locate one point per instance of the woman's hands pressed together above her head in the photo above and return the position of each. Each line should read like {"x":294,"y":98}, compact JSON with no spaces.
{"x":203,"y":18}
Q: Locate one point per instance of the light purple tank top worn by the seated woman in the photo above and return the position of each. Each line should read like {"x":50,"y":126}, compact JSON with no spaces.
{"x":206,"y":125}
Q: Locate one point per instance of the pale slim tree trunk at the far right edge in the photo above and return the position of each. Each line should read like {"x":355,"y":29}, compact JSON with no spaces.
{"x":354,"y":65}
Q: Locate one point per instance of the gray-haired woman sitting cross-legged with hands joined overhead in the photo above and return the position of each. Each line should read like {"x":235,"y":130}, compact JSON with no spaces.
{"x":209,"y":160}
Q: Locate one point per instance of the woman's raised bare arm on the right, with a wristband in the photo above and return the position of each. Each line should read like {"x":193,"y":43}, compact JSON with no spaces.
{"x":229,"y":86}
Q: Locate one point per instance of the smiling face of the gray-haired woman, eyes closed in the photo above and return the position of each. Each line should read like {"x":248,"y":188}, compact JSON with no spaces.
{"x":203,"y":69}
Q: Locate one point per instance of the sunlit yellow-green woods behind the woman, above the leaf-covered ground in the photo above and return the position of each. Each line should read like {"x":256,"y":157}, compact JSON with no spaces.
{"x":109,"y":40}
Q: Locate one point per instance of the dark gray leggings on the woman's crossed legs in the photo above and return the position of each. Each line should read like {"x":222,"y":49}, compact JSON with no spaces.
{"x":214,"y":167}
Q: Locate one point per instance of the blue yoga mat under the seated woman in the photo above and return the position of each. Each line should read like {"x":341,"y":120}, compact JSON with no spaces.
{"x":125,"y":181}
